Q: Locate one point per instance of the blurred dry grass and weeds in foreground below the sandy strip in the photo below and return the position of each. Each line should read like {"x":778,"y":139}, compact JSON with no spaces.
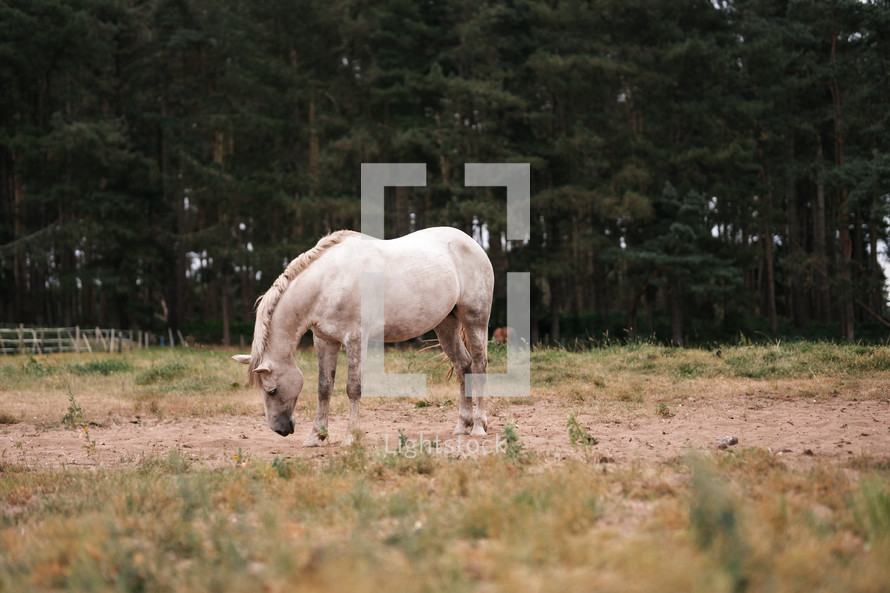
{"x":365,"y":521}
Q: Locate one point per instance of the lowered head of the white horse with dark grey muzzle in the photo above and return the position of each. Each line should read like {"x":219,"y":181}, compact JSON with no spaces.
{"x":280,"y":385}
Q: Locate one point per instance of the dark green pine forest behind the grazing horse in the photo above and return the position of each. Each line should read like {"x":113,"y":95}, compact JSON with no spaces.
{"x":701,"y":170}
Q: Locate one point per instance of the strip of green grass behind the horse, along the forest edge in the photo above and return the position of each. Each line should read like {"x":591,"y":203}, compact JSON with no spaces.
{"x":598,"y":367}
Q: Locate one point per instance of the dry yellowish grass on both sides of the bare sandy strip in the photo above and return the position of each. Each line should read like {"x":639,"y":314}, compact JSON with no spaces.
{"x":366,"y":521}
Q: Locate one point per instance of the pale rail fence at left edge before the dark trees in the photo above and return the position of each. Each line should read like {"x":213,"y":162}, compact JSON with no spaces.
{"x":46,"y":340}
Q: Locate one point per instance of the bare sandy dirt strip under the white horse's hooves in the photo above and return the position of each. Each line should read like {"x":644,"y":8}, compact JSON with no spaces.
{"x":801,"y":430}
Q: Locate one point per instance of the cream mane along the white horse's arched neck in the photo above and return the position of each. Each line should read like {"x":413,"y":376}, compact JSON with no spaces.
{"x":266,"y":303}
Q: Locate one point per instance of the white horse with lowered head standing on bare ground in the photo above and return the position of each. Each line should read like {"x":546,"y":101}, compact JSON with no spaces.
{"x":434,"y":279}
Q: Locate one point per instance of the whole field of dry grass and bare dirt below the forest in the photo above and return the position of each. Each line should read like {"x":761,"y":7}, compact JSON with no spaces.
{"x":154,"y":471}
